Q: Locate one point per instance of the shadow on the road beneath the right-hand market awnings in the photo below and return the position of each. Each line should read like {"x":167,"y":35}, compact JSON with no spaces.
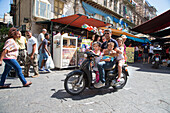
{"x":149,"y":68}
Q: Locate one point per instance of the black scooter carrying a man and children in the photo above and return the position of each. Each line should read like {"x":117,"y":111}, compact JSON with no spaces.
{"x":77,"y":80}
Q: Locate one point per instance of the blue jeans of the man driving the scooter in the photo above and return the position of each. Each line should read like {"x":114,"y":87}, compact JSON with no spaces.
{"x":101,"y":67}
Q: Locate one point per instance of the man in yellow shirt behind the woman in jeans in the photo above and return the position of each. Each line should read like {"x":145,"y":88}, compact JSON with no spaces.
{"x":21,"y":42}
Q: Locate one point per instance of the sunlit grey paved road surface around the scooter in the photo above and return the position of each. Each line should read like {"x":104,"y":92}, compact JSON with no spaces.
{"x":147,"y":91}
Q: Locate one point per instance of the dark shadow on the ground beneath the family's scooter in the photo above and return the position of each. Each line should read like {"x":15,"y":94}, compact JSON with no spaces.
{"x":87,"y":93}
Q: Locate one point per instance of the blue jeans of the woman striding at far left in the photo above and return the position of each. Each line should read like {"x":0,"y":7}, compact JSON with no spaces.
{"x":9,"y":63}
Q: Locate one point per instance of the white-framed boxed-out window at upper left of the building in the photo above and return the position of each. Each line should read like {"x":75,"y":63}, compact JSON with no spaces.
{"x":42,"y":8}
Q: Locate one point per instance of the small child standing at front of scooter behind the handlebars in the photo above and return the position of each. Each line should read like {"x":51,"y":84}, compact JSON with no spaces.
{"x":97,"y":47}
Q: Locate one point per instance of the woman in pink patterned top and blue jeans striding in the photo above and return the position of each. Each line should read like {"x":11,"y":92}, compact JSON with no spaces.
{"x":9,"y":56}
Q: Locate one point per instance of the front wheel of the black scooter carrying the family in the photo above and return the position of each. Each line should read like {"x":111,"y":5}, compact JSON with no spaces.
{"x":74,"y":84}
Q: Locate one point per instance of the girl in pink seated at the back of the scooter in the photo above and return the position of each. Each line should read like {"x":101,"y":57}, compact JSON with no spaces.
{"x":120,"y":58}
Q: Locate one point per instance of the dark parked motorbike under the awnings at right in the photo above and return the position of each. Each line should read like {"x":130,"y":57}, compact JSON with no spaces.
{"x":156,"y":59}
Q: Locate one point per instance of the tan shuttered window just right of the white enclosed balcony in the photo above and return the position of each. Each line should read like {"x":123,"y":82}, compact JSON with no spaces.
{"x":58,"y":8}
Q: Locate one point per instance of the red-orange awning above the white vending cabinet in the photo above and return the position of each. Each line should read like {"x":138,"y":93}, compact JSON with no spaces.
{"x":78,"y":20}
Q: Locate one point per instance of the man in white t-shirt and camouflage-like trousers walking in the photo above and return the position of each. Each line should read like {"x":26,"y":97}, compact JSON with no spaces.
{"x":31,"y":58}
